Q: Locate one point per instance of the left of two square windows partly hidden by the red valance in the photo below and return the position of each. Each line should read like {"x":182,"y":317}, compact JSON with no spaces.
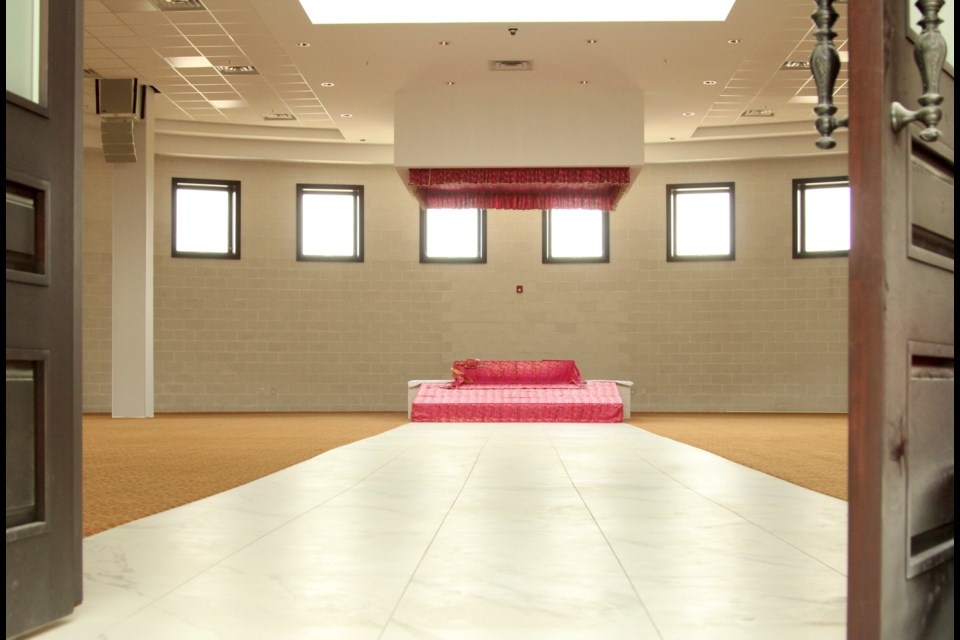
{"x":453,"y":235}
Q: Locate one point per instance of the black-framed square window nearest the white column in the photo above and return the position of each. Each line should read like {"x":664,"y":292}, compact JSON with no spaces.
{"x":206,"y":218}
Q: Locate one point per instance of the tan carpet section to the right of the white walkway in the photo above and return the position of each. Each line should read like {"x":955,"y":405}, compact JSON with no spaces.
{"x":808,"y":449}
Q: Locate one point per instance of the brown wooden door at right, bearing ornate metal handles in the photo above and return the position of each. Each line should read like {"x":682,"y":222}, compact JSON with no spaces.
{"x":901,"y":339}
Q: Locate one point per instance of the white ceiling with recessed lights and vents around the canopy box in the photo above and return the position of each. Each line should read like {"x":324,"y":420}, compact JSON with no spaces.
{"x":698,"y":78}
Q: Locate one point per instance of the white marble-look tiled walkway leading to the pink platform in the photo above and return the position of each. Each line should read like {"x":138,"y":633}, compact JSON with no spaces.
{"x":480,"y":531}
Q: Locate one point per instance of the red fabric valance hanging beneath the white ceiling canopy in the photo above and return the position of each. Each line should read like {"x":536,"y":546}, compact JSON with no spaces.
{"x":520,"y":188}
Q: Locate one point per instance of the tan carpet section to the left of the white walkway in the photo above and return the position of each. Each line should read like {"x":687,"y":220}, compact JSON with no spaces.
{"x":133,"y":468}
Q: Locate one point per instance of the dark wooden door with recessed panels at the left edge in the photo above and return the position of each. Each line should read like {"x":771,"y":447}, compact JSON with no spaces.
{"x":42,"y":307}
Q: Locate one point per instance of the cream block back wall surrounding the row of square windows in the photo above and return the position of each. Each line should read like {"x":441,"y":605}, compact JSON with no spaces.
{"x":762,"y":333}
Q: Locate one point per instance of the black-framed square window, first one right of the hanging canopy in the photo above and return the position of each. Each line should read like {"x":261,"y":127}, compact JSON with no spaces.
{"x":700,"y":222}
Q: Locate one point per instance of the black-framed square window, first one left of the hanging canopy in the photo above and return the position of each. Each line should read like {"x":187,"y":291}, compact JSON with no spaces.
{"x":330,"y":223}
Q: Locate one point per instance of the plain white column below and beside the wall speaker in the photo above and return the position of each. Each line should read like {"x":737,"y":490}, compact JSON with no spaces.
{"x":133,"y":275}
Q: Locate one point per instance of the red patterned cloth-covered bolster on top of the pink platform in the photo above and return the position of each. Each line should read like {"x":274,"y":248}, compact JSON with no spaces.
{"x":515,"y":372}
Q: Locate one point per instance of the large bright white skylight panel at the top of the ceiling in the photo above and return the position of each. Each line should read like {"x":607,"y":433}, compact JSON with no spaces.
{"x":513,"y":12}
